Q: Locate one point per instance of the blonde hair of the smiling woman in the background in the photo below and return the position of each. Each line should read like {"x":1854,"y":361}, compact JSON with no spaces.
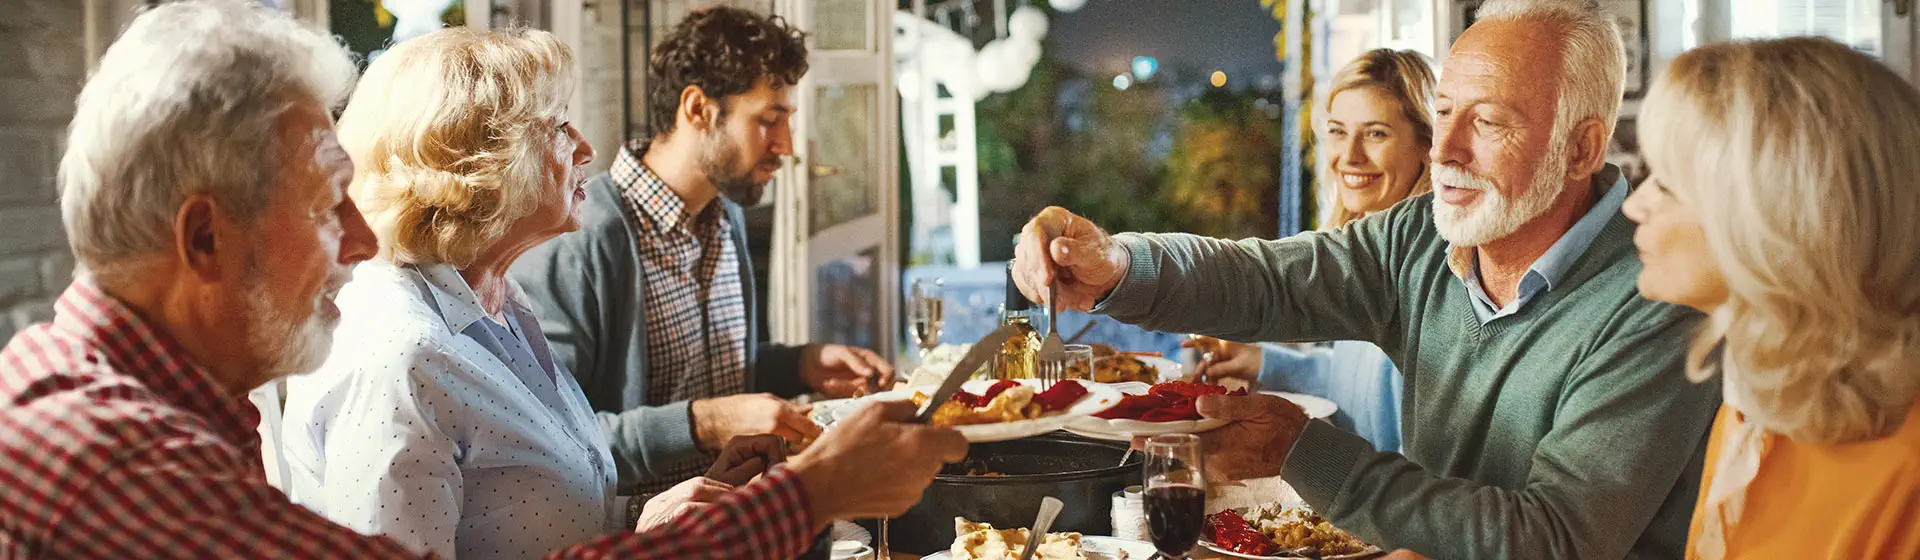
{"x":1403,"y":76}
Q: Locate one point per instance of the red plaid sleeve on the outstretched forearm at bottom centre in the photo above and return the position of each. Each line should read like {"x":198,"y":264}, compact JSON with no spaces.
{"x":761,"y":521}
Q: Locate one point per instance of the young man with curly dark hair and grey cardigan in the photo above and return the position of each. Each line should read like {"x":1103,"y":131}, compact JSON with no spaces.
{"x":652,"y":302}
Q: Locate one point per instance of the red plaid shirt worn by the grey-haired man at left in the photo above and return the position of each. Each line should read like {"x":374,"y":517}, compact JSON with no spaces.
{"x":116,"y":446}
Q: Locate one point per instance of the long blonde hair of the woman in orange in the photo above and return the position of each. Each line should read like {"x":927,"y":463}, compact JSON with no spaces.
{"x":1798,"y":156}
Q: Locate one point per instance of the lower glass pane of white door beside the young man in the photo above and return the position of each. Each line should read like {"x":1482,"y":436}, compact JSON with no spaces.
{"x":848,"y":300}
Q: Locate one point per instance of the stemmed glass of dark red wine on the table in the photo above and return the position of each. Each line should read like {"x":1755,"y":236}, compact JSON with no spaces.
{"x":1176,"y":494}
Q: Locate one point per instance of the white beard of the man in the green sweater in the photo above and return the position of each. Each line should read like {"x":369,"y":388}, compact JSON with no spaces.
{"x":1495,"y":216}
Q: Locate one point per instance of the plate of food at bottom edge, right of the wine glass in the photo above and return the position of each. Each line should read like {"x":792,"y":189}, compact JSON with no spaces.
{"x":1280,"y":532}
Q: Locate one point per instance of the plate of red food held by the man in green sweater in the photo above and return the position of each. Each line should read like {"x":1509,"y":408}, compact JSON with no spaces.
{"x":1151,"y":411}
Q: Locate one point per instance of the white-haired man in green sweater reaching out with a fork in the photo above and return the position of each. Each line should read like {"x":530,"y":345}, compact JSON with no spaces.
{"x":1545,"y":400}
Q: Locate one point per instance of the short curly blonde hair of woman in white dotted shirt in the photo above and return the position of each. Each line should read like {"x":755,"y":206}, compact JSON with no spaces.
{"x":450,"y":135}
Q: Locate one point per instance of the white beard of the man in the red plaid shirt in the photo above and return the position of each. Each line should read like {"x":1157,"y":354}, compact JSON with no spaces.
{"x":287,"y":346}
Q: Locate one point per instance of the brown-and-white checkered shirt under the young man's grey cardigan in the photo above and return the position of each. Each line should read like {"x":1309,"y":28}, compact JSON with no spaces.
{"x":696,"y":310}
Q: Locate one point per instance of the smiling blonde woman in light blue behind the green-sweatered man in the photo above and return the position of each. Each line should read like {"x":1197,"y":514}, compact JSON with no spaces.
{"x":1374,"y":154}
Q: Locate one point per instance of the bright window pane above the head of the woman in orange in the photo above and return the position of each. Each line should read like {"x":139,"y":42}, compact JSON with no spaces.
{"x":1852,"y":22}
